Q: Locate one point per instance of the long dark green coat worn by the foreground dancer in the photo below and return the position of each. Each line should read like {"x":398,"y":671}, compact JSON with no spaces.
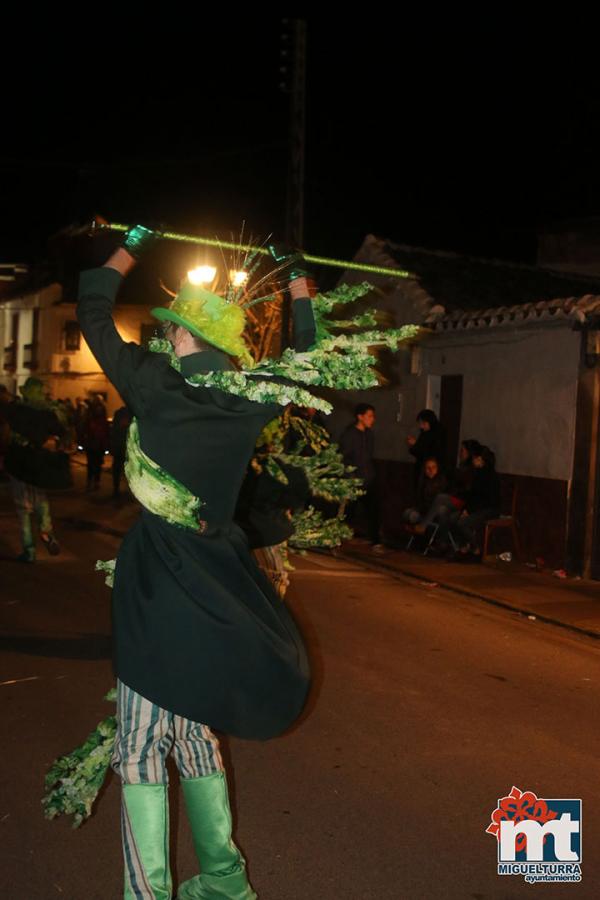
{"x":198,"y":628}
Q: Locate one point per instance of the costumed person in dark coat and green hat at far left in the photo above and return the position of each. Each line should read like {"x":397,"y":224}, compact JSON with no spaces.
{"x":33,"y":466}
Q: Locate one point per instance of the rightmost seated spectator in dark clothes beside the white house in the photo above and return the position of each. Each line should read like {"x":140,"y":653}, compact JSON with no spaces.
{"x":482,"y":502}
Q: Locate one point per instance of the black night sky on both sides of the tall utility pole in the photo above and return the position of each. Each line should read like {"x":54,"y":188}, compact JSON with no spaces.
{"x":462,"y":137}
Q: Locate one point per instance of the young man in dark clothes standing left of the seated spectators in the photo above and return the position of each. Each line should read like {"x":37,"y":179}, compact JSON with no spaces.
{"x":356,"y":445}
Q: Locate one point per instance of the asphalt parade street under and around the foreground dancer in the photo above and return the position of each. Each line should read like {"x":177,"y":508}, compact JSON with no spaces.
{"x":426,"y":708}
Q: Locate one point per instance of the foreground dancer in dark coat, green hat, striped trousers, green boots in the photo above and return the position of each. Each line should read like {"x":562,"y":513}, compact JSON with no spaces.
{"x":201,"y":639}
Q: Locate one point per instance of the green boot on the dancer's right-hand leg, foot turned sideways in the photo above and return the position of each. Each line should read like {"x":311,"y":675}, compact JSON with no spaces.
{"x":222,"y":866}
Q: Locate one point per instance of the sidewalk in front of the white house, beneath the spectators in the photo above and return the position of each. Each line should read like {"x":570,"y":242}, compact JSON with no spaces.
{"x":572,"y":603}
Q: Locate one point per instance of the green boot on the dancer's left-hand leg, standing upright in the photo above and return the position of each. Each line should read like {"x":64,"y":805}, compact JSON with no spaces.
{"x":145,"y":824}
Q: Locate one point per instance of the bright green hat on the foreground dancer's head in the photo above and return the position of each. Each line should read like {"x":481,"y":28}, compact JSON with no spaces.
{"x":209,"y":317}
